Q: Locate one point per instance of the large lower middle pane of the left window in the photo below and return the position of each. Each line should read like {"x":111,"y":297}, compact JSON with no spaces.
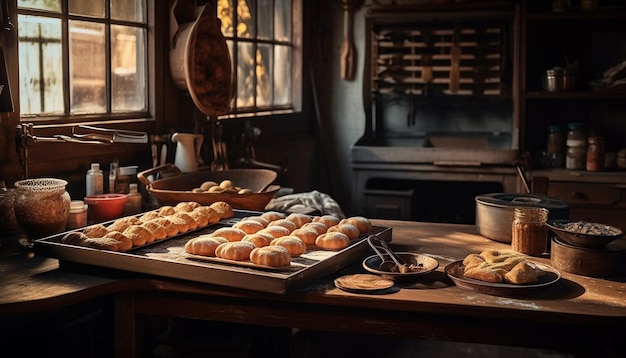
{"x":87,"y":67}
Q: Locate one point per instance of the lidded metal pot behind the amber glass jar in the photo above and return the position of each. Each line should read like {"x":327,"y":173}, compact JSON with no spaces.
{"x":494,"y":212}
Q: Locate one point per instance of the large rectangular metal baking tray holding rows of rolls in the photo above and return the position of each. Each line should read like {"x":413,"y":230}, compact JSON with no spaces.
{"x":168,"y":258}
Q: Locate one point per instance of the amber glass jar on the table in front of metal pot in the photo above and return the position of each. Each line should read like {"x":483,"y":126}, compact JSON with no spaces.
{"x":529,"y":231}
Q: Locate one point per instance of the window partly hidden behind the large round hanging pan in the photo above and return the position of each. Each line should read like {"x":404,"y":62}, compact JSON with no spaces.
{"x":263,"y":39}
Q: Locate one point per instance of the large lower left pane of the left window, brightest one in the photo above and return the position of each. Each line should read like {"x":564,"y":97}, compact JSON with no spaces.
{"x":41,"y":65}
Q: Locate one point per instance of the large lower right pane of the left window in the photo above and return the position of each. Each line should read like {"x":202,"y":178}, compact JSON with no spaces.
{"x":128,"y":75}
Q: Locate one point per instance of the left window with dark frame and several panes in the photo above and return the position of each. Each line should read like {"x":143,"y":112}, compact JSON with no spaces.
{"x":80,"y":58}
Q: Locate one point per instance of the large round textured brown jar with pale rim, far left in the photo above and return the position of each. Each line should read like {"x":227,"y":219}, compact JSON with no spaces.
{"x":42,"y":207}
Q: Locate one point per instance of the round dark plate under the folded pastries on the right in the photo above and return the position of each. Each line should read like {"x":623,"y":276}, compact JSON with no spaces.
{"x":455,"y":271}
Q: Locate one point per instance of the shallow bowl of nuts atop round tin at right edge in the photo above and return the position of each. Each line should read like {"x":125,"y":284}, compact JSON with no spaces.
{"x":585,"y":234}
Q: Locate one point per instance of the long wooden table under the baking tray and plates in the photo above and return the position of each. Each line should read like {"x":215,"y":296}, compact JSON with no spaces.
{"x":577,"y":314}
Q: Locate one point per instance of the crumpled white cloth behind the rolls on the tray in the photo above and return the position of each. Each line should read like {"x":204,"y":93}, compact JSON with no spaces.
{"x":303,"y":202}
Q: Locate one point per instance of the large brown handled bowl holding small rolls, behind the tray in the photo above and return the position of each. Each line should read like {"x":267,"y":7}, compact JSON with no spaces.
{"x":176,"y":186}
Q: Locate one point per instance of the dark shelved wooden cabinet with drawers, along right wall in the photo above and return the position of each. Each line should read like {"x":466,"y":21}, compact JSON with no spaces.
{"x":592,"y":42}
